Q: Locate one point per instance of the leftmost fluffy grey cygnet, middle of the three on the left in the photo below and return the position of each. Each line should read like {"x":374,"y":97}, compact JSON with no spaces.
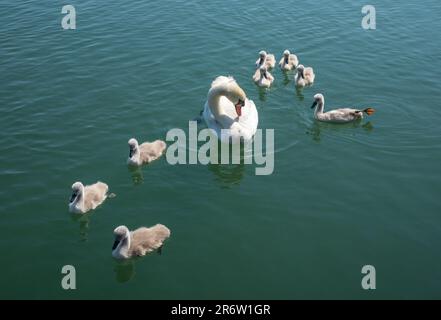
{"x":85,"y":198}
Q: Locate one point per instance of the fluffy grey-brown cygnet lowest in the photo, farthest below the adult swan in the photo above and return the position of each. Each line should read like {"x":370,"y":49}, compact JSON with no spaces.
{"x":138,"y":242}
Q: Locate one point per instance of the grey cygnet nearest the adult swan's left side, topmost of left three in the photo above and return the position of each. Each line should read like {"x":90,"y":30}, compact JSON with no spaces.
{"x":146,"y":152}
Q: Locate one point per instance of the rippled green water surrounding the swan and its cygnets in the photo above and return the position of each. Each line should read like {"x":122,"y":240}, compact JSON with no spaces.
{"x":340,"y":197}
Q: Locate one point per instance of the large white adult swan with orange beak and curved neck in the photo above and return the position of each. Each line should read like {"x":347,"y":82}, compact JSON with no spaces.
{"x":228,"y":112}
